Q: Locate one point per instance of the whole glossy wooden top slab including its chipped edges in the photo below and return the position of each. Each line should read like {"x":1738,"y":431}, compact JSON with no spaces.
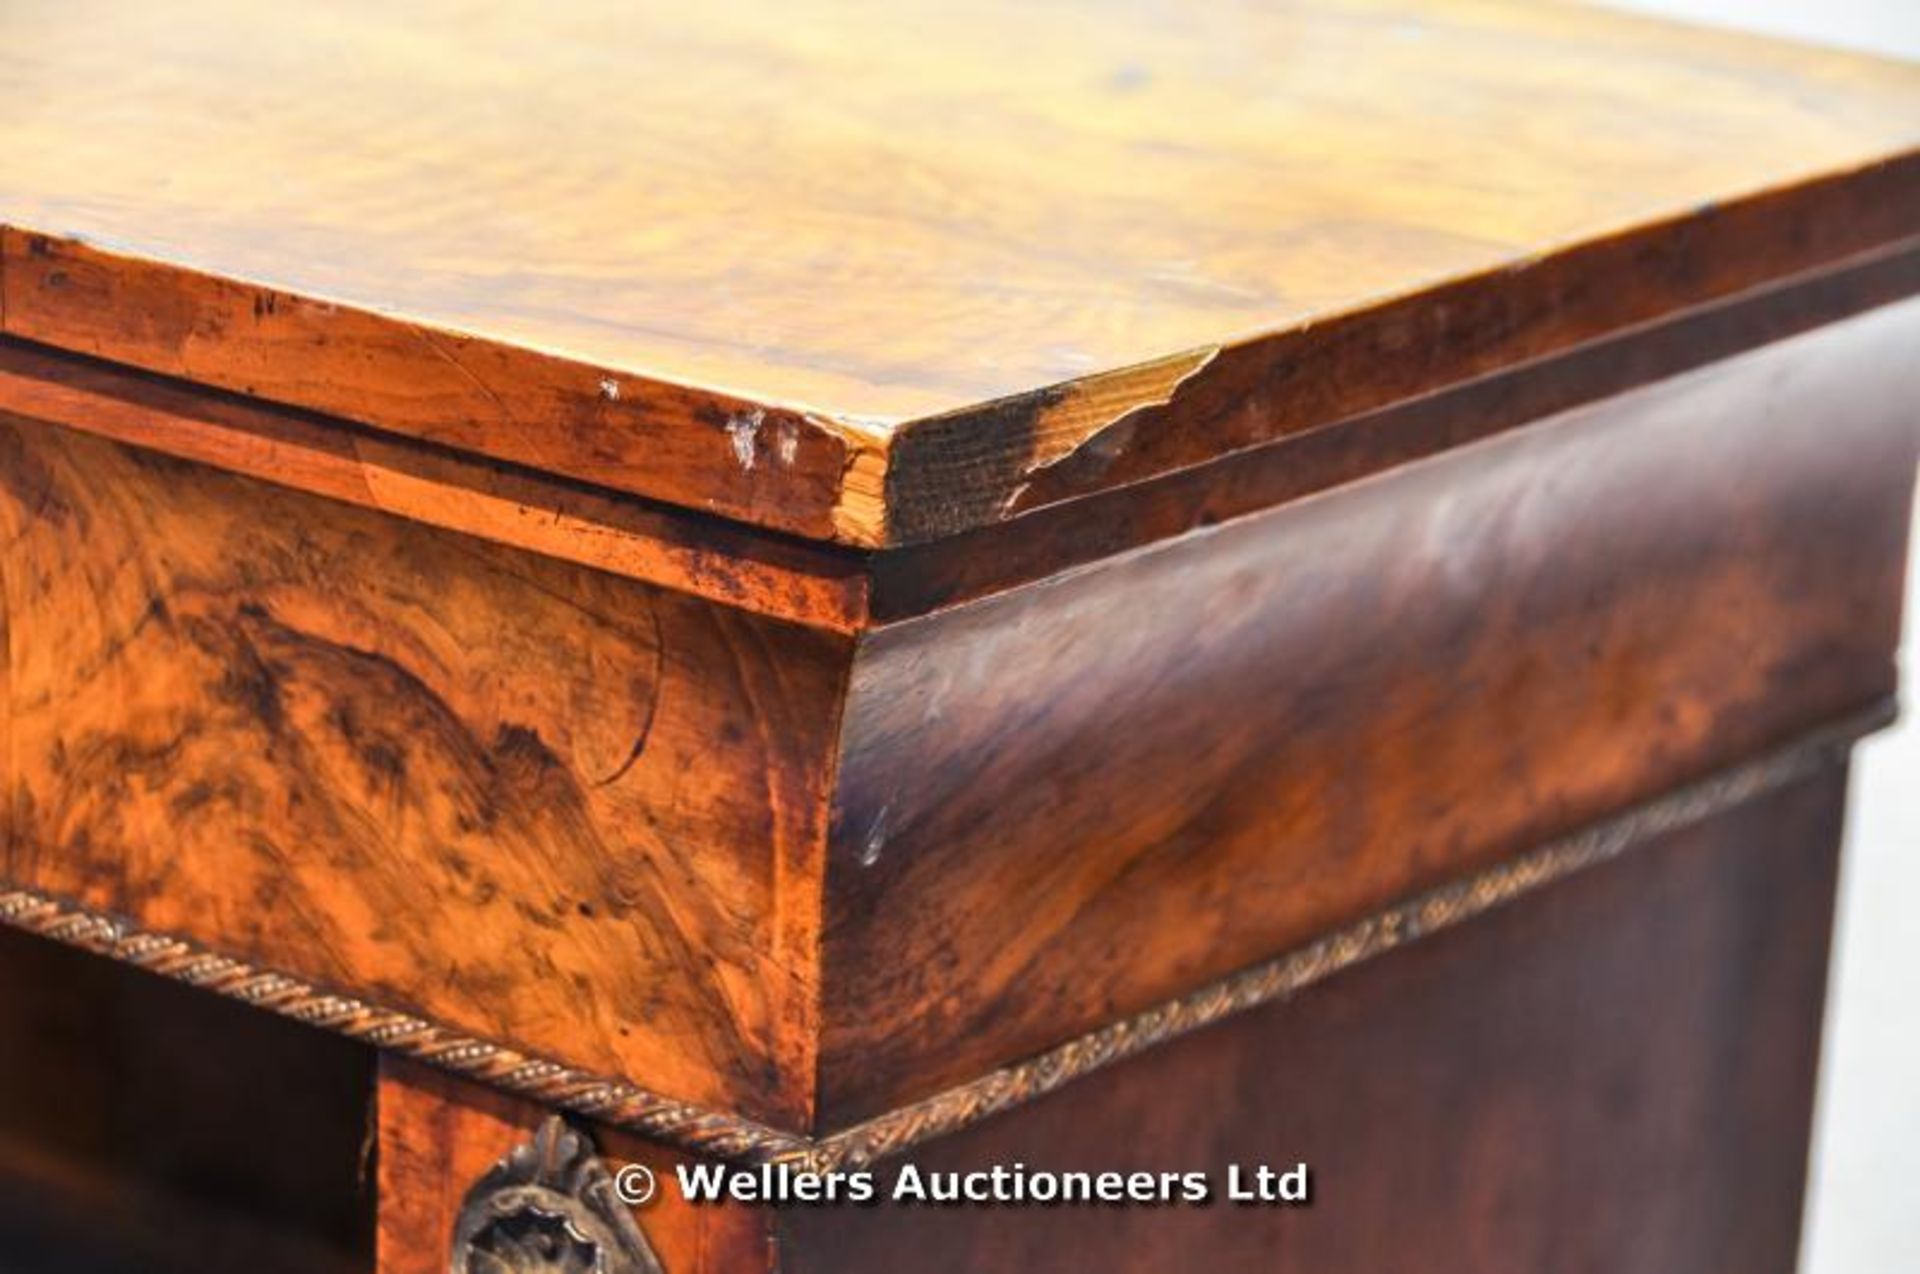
{"x":775,"y":264}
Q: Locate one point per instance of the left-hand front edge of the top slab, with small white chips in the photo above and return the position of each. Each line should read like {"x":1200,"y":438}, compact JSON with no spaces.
{"x":435,"y":383}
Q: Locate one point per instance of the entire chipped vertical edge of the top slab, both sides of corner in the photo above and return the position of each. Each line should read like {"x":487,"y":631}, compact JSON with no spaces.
{"x":878,"y":484}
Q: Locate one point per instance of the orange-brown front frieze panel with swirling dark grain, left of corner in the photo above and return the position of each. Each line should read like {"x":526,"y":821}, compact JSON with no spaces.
{"x":533,"y":801}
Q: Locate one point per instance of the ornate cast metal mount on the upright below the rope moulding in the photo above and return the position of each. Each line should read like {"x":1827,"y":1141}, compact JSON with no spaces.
{"x":550,"y":1208}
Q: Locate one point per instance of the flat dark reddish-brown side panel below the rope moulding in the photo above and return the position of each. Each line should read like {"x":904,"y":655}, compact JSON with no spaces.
{"x":1608,"y":1077}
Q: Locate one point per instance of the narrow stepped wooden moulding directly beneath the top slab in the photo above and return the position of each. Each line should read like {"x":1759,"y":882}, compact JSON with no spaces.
{"x":855,"y":592}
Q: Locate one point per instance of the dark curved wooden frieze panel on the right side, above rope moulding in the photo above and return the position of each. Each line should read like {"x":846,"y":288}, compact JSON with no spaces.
{"x":1072,"y":801}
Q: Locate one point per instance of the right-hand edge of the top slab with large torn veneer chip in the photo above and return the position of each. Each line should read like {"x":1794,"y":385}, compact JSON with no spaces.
{"x":1042,"y":450}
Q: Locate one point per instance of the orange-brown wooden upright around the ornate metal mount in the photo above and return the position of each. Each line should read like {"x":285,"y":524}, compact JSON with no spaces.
{"x":437,"y":1137}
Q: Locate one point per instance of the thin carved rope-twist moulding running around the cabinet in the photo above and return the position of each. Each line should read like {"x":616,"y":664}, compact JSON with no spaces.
{"x":734,"y":1139}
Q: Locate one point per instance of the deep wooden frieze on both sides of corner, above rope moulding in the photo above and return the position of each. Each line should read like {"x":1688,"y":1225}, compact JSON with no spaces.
{"x":804,"y":876}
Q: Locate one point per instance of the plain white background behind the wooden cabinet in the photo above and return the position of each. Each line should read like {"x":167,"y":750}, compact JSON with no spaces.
{"x":1863,"y":1215}
